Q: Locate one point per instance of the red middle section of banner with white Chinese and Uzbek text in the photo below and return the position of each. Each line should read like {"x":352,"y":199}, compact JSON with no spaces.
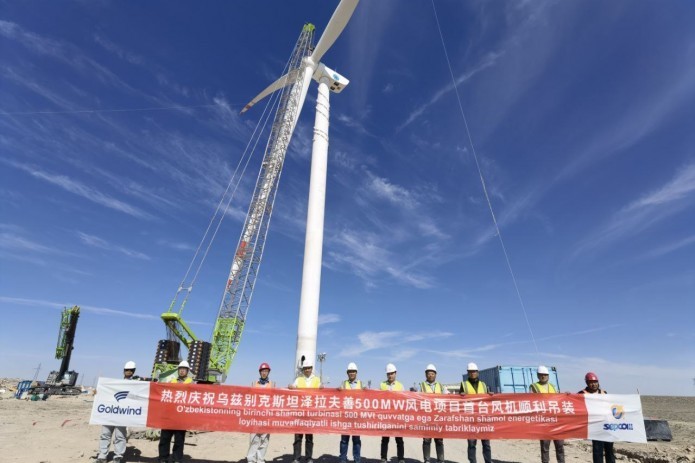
{"x":376,"y":413}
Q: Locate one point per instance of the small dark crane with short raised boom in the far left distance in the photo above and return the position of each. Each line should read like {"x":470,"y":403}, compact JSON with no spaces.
{"x":62,"y":382}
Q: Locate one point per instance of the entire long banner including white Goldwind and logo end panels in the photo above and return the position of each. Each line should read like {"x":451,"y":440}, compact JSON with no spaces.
{"x":409,"y":414}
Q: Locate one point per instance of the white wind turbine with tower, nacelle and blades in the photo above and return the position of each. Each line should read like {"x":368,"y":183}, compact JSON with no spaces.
{"x":327,"y":79}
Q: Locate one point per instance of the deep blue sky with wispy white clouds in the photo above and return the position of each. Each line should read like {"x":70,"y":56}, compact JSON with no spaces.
{"x":120,"y":129}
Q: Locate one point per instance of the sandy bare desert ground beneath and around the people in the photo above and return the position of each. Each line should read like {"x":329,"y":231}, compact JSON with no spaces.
{"x":58,"y":431}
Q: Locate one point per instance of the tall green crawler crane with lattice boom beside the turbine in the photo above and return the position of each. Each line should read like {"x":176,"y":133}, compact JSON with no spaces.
{"x":210,"y":361}
